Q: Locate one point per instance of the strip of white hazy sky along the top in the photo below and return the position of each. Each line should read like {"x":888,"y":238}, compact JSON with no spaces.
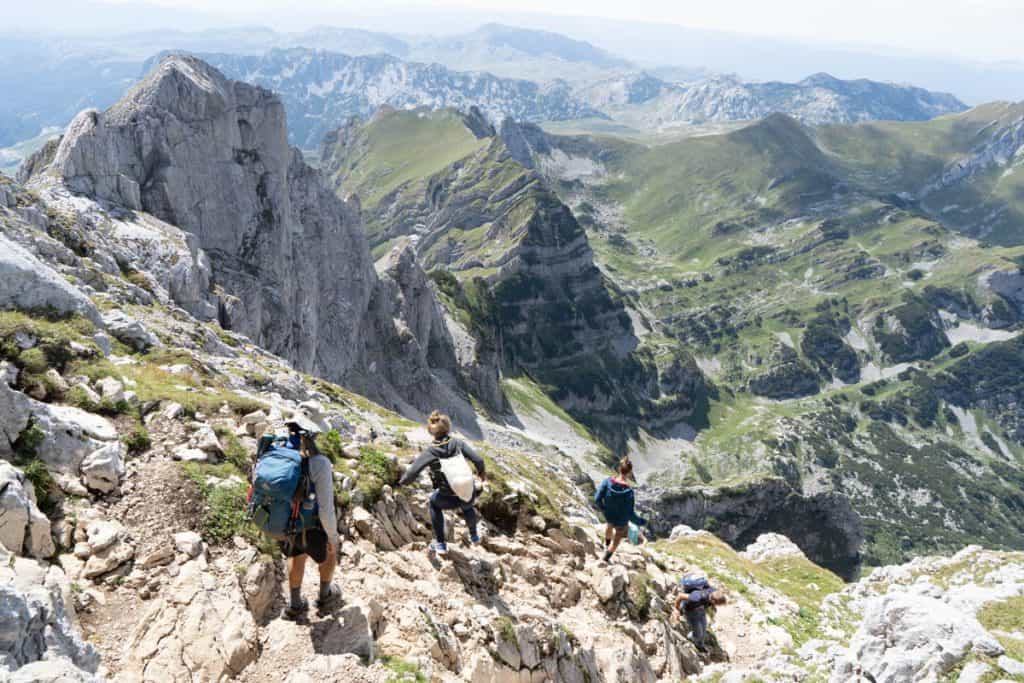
{"x":983,"y":30}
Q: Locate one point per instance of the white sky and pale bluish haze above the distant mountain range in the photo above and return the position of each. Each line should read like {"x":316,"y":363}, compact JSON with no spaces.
{"x":968,"y":49}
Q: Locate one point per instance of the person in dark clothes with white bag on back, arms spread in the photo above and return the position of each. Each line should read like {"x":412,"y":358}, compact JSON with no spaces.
{"x":454,"y":485}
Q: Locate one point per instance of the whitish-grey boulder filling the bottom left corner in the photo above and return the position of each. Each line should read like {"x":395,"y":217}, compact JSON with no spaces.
{"x":37,"y":636}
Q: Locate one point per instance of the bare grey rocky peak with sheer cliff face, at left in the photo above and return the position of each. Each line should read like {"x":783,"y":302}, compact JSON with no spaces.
{"x":289,"y":263}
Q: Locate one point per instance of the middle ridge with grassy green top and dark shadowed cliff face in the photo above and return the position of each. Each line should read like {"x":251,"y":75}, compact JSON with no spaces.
{"x":503,"y":234}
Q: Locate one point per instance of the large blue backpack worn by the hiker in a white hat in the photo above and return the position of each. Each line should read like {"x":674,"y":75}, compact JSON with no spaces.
{"x":282,"y":500}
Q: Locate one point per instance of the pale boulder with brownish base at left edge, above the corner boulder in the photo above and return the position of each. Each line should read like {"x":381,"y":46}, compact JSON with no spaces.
{"x":24,"y":530}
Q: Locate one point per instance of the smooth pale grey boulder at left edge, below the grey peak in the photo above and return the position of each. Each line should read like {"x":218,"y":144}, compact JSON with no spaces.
{"x":28,"y":284}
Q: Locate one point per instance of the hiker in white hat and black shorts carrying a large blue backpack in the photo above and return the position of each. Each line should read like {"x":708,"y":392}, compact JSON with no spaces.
{"x":291,"y":500}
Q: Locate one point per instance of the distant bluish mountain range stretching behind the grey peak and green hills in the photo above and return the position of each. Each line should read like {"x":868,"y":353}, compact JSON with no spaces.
{"x":329,"y":74}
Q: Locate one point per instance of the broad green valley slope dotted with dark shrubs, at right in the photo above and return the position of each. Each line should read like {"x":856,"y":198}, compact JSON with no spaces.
{"x":785,"y":262}
